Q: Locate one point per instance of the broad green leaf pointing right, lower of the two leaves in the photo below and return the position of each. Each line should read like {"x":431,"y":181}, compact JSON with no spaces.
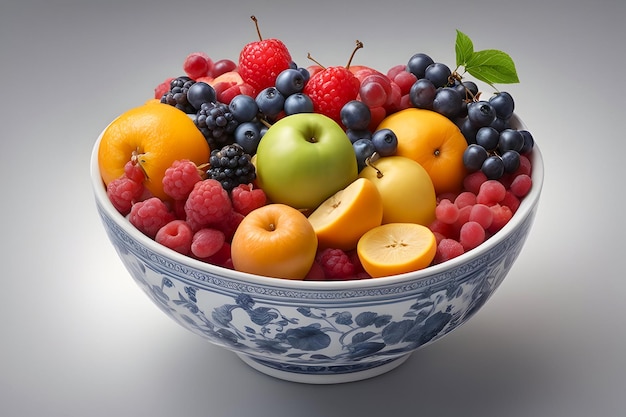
{"x":492,"y":66}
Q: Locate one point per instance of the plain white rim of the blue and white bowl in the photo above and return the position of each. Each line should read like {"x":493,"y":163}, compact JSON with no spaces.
{"x":527,"y":205}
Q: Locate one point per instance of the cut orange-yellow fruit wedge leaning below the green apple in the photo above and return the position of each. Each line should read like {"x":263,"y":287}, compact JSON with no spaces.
{"x":343,"y":218}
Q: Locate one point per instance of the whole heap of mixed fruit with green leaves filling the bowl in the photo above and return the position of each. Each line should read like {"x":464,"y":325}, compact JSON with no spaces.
{"x":321,"y":173}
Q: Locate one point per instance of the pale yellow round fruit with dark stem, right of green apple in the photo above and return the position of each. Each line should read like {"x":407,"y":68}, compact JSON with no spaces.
{"x":406,"y":189}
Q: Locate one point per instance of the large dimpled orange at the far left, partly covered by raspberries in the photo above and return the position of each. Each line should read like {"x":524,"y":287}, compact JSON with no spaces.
{"x":155,"y":135}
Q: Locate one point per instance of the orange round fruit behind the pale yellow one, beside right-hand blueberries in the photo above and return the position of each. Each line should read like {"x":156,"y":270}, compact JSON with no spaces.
{"x":432,"y":140}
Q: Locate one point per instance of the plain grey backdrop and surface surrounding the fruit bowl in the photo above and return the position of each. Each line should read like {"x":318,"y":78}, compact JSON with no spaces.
{"x":78,"y":337}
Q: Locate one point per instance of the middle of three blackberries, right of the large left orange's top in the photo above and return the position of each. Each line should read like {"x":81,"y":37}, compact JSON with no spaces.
{"x":217,"y":123}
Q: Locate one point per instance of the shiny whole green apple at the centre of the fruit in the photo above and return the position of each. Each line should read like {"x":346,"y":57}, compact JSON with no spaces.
{"x":303,"y":159}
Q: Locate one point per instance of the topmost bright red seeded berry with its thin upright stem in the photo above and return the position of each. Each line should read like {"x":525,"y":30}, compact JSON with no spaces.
{"x":261,"y":61}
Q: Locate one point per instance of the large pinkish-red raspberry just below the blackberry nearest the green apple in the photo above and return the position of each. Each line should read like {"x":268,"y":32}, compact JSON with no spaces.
{"x":208,"y":203}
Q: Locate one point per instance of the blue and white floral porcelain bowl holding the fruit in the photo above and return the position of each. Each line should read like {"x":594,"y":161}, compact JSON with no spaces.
{"x":319,"y":332}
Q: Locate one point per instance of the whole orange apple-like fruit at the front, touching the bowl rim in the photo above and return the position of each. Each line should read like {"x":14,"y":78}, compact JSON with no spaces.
{"x":275,"y":240}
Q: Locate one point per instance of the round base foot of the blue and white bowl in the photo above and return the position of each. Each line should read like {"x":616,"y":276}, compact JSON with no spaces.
{"x":315,"y":374}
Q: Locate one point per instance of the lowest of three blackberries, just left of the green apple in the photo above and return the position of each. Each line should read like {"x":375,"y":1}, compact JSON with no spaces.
{"x":231,"y":166}
